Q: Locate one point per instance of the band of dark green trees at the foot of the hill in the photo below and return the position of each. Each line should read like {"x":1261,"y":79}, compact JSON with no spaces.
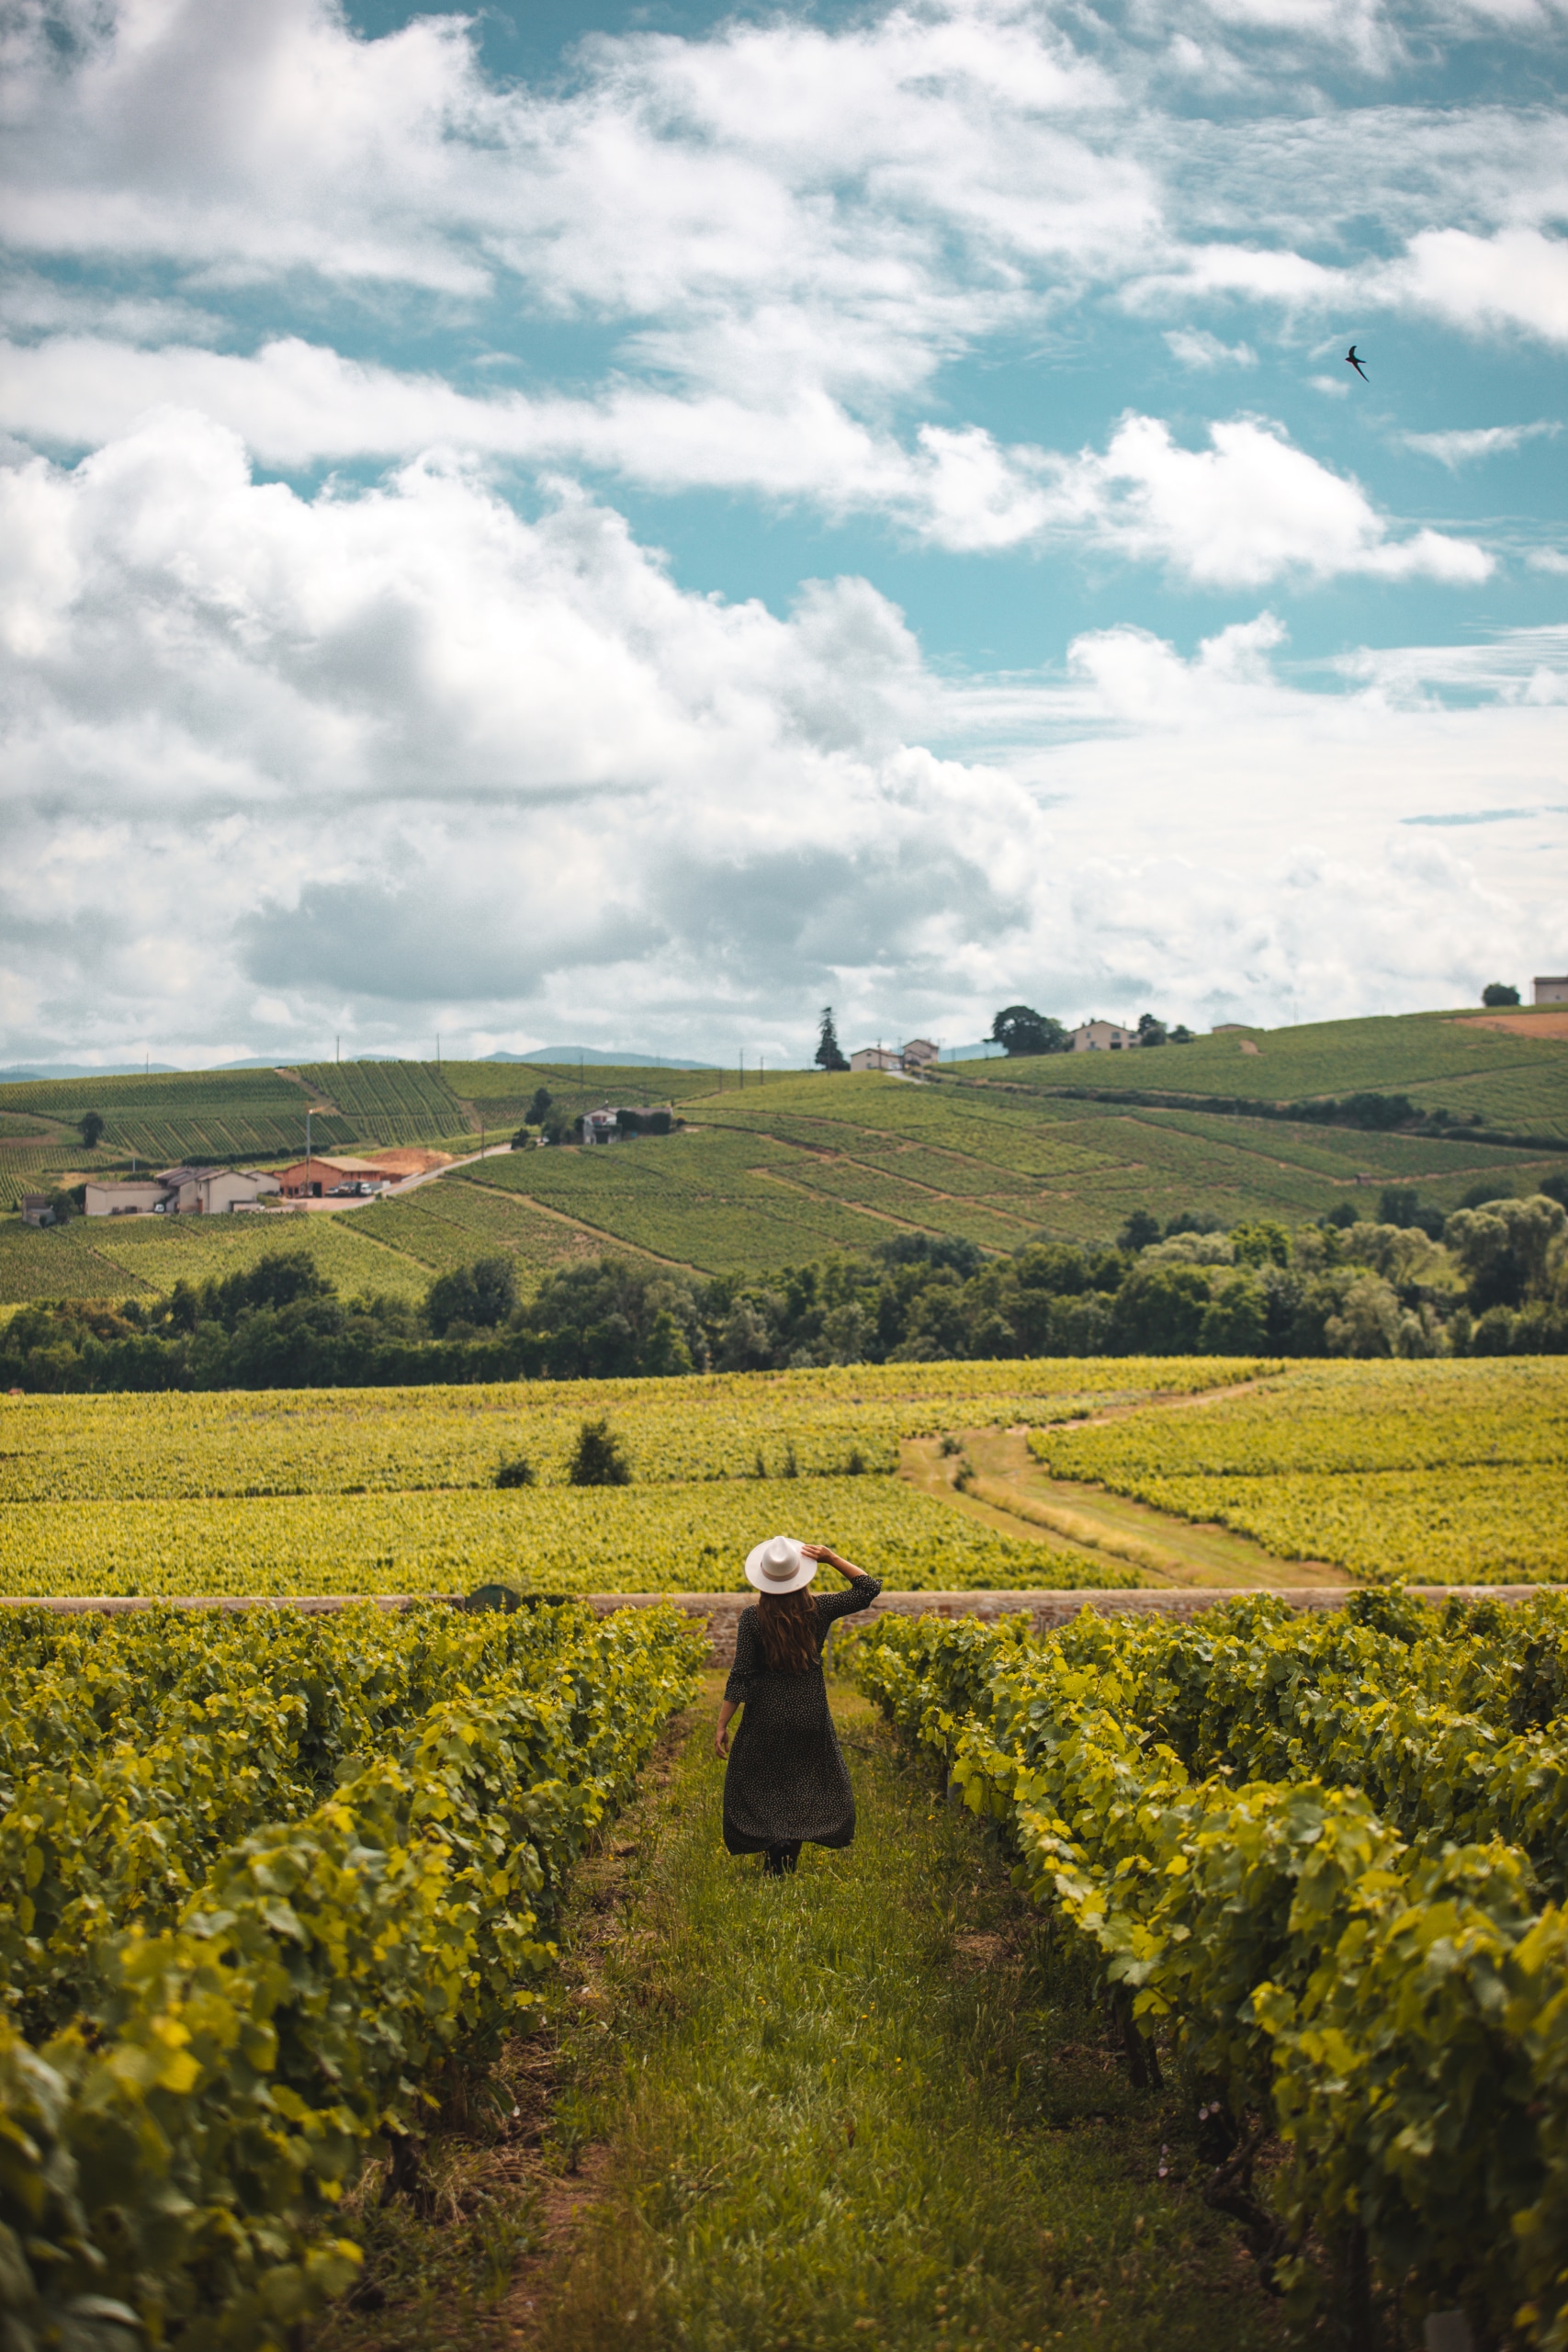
{"x":1409,"y":1281}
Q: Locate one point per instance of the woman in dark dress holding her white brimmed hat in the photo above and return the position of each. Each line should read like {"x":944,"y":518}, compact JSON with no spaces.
{"x":786,"y":1782}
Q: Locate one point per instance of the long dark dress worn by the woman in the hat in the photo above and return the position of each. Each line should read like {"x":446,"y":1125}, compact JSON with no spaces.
{"x":786,"y":1779}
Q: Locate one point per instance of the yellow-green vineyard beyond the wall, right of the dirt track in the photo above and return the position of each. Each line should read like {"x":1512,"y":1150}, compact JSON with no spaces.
{"x":1433,"y":1474}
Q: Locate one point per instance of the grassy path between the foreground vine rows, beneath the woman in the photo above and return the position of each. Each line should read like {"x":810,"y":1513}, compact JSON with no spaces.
{"x":866,"y":2106}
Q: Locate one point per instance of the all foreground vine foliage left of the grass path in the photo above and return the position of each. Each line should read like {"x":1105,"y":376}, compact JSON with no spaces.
{"x":246,"y":1951}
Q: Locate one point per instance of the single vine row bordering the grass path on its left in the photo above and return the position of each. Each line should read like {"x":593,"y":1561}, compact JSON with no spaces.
{"x":175,"y":2156}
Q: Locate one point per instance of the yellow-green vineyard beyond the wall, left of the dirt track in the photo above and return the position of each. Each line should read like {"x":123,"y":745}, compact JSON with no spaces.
{"x":394,"y":1490}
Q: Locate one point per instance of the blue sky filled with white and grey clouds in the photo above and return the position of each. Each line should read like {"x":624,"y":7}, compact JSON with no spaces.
{"x":631,"y":523}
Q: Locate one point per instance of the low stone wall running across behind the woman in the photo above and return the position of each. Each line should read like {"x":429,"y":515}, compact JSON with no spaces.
{"x":721,"y":1612}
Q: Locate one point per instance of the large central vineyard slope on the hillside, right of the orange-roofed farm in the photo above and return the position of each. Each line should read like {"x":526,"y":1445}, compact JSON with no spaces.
{"x":803,"y":1165}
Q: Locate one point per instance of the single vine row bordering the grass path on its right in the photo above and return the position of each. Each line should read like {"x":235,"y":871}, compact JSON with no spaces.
{"x":1395,"y":2012}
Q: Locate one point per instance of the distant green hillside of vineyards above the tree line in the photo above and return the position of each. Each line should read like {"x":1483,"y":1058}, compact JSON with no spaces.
{"x":800,"y":1165}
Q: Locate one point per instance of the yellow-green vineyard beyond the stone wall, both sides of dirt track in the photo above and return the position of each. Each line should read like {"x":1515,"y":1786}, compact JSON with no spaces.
{"x":1438,"y":1474}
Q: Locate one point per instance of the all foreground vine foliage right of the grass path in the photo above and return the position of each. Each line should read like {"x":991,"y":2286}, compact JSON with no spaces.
{"x":1327,"y":1857}
